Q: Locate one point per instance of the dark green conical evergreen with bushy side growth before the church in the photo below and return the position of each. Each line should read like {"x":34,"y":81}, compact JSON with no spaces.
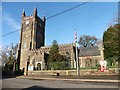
{"x":55,"y":60}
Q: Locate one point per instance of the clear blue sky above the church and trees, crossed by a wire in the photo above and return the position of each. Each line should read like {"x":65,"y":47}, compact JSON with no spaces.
{"x":90,"y":19}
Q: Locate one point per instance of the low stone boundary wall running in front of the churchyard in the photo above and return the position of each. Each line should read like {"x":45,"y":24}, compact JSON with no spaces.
{"x":71,"y":72}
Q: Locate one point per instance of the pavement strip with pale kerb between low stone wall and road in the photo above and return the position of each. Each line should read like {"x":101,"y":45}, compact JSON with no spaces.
{"x":93,"y":78}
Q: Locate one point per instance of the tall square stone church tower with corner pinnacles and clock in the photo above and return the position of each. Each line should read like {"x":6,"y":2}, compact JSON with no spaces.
{"x":32,"y":36}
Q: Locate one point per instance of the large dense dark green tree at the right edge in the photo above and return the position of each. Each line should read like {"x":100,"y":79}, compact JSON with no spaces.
{"x":111,"y":44}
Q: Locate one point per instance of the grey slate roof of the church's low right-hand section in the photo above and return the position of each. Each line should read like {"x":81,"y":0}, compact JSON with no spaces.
{"x":89,"y":51}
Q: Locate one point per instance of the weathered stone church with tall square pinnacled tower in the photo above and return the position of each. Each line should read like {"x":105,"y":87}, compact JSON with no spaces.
{"x":32,"y":53}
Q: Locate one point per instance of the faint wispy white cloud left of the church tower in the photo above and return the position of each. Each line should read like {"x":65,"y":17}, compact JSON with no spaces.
{"x":11,"y":22}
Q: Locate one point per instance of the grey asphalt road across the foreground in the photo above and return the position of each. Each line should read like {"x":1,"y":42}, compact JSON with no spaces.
{"x":42,"y":84}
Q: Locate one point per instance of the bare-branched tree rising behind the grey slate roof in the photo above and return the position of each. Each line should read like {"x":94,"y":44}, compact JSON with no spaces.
{"x":87,"y":40}
